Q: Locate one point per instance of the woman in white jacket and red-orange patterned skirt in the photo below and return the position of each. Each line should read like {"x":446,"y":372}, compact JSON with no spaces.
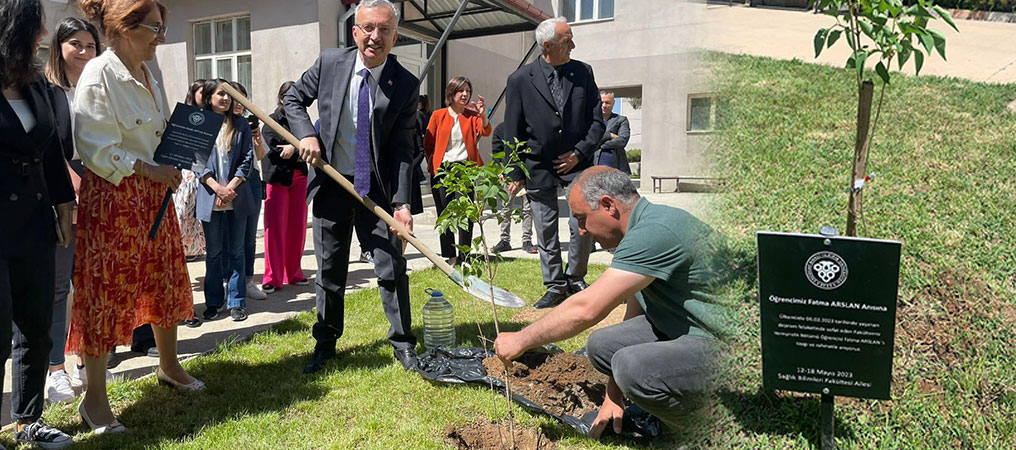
{"x":122,"y":279}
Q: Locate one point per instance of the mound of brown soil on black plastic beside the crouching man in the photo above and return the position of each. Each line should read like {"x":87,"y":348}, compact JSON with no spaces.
{"x":562,"y":383}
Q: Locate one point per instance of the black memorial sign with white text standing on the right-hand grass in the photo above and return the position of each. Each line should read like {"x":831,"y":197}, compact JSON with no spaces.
{"x":829,"y":310}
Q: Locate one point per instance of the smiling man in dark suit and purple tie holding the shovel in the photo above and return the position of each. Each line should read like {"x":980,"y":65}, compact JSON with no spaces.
{"x":367,"y":104}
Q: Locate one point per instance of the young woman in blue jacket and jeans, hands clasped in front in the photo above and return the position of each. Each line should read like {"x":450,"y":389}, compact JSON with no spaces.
{"x":224,"y":205}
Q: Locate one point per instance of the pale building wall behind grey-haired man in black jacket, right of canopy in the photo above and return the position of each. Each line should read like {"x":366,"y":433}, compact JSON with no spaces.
{"x":646,"y":50}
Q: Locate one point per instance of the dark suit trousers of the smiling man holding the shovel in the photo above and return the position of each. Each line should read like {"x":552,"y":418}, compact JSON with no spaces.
{"x":336,"y":213}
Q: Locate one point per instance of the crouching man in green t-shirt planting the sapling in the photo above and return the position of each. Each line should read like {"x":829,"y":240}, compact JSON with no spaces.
{"x":666,"y":349}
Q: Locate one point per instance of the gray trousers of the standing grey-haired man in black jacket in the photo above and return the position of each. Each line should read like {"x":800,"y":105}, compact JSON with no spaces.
{"x":546,"y":211}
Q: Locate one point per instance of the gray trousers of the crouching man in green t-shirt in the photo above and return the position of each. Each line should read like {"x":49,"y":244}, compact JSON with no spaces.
{"x":661,"y":376}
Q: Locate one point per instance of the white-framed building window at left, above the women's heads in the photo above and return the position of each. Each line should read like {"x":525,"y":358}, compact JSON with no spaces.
{"x":223,"y":50}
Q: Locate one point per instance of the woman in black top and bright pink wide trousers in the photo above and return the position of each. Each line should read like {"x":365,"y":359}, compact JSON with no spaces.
{"x":285,"y":207}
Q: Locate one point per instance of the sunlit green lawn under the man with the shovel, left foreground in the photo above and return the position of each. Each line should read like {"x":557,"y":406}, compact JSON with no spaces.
{"x":259,"y":398}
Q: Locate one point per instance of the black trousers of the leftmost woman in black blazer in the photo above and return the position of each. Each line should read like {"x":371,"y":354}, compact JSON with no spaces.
{"x":27,"y":284}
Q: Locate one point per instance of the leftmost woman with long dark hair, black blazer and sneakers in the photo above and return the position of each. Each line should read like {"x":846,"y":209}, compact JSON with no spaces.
{"x":33,"y":180}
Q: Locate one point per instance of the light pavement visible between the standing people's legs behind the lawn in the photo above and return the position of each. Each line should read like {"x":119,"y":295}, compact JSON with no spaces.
{"x":292,"y":300}
